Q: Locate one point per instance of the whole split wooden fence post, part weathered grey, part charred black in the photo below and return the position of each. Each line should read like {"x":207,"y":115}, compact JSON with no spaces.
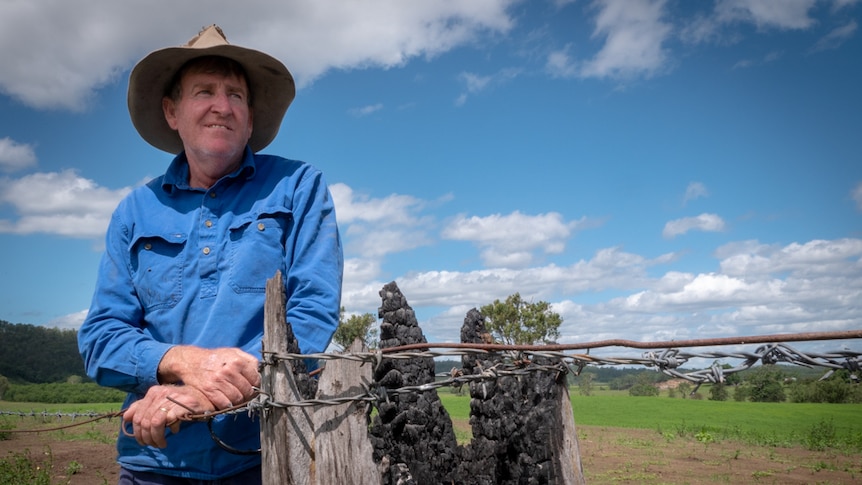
{"x":523,"y":425}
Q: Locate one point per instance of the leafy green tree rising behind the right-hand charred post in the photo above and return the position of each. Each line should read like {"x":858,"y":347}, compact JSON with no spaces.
{"x":517,"y":322}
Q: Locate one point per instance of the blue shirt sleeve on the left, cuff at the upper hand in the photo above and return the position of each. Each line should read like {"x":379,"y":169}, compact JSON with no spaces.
{"x":116,"y":352}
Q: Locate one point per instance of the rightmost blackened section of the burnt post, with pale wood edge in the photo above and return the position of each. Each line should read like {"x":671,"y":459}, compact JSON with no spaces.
{"x":523,"y":426}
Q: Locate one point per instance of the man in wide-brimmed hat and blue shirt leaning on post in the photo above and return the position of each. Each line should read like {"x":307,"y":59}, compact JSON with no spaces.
{"x":177,"y":315}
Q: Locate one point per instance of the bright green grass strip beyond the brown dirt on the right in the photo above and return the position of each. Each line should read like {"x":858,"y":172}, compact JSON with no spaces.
{"x":814,"y":425}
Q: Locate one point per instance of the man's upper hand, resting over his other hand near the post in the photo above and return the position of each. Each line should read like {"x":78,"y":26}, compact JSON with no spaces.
{"x":226,"y":376}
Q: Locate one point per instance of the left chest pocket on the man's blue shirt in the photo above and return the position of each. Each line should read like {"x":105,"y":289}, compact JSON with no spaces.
{"x":157,"y":268}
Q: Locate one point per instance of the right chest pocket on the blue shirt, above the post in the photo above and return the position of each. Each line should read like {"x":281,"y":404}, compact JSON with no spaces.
{"x":257,"y":248}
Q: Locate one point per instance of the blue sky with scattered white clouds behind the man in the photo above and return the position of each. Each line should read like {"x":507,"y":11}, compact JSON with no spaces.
{"x":655,"y":169}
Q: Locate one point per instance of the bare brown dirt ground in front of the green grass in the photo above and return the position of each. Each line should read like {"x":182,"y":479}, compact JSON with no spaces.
{"x":608,"y":455}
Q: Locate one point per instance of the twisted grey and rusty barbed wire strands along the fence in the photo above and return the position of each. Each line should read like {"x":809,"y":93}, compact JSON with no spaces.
{"x":519,"y":360}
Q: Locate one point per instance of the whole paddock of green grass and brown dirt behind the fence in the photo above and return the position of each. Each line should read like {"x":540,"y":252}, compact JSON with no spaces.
{"x":623,"y":439}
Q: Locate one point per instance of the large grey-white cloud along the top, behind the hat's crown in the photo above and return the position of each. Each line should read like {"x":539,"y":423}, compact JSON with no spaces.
{"x":59,"y":53}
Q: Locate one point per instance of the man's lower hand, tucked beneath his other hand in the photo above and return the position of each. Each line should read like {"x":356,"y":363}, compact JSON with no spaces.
{"x":154,"y":412}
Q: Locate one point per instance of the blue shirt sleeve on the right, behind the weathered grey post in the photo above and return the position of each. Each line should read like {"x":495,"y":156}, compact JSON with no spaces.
{"x":314,"y":266}
